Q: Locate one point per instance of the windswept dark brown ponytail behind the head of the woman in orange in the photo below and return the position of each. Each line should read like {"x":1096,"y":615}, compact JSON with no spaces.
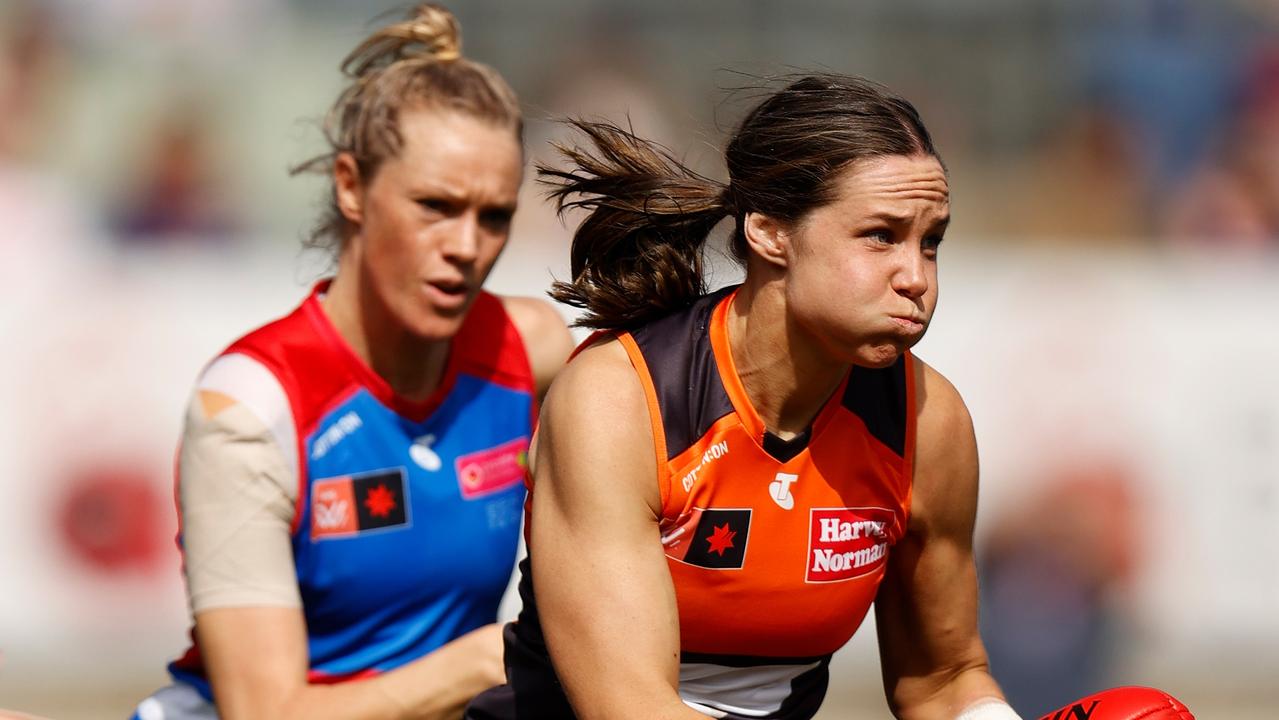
{"x":639,"y":255}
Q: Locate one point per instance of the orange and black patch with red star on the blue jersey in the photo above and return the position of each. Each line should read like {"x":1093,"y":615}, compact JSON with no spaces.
{"x":347,"y":506}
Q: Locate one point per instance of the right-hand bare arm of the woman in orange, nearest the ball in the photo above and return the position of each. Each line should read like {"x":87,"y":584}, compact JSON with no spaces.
{"x":927,"y":612}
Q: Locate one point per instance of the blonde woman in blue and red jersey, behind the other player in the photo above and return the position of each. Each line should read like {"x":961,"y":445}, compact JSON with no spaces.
{"x":351,"y":476}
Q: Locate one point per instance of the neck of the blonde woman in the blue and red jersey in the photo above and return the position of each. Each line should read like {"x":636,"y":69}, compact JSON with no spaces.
{"x":412,"y":366}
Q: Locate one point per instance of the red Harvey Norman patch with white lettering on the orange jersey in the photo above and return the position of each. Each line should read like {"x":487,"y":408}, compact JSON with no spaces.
{"x":847,"y":543}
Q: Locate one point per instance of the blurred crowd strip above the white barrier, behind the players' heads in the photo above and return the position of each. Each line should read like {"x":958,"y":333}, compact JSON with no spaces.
{"x":1147,"y":122}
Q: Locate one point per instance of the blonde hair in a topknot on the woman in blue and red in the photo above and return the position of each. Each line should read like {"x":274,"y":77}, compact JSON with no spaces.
{"x":414,"y":63}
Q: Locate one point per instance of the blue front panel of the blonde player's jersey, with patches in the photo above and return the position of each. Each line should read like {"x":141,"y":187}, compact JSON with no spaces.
{"x":409,"y":531}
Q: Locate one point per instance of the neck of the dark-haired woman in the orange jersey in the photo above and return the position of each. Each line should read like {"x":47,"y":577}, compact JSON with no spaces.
{"x":786,"y":374}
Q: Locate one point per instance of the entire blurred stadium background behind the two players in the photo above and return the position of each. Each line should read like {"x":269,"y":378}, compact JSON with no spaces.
{"x":1111,"y":286}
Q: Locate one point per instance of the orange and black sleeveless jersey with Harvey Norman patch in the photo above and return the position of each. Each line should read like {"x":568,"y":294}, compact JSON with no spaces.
{"x":776,"y":548}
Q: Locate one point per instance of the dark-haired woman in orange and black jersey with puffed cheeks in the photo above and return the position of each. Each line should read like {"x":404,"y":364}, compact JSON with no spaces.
{"x":725,"y":483}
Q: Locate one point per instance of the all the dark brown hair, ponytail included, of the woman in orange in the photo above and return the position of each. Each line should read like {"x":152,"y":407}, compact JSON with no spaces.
{"x":639,"y":255}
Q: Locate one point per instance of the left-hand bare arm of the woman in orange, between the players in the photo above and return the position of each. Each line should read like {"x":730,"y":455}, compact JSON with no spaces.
{"x":604,"y":591}
